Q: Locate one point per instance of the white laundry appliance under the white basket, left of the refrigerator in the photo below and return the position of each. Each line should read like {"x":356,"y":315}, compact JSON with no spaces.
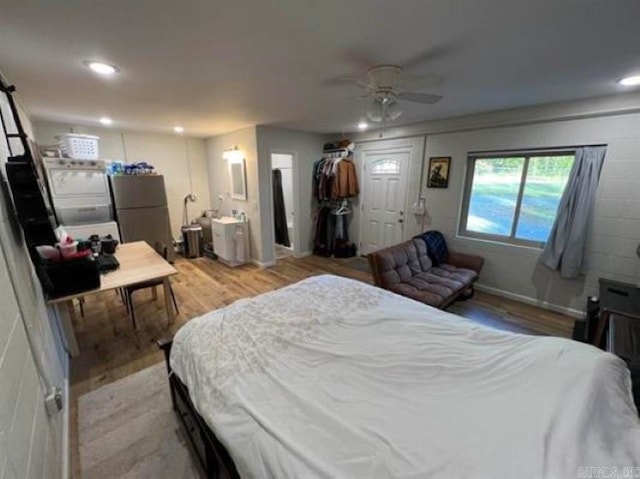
{"x":79,"y":190}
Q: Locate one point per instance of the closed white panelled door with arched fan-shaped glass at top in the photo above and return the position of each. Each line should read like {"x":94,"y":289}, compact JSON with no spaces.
{"x":384,"y":198}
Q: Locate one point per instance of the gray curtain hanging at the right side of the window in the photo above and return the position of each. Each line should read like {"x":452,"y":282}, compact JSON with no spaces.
{"x":565,"y":248}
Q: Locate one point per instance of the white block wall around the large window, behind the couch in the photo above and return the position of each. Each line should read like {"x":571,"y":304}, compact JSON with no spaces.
{"x":616,"y":233}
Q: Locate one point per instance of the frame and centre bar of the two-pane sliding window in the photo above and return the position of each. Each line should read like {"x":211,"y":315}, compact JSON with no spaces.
{"x":468,"y":186}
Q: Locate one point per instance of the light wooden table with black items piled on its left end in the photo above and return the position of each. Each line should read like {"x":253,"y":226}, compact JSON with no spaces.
{"x":139,"y":262}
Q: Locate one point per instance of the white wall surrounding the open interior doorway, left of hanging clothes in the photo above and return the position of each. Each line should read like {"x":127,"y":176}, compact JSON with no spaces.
{"x":306,"y":149}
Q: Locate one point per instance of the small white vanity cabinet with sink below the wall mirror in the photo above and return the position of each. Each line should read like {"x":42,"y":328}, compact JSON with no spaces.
{"x":231,"y":240}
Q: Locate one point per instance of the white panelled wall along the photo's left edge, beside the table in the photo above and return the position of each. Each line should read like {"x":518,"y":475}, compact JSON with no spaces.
{"x":32,"y":444}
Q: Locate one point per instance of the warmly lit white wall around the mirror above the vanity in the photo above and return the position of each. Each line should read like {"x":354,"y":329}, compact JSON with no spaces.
{"x":219,"y":182}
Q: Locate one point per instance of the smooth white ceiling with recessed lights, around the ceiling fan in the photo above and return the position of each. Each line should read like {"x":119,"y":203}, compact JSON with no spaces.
{"x":218,"y":65}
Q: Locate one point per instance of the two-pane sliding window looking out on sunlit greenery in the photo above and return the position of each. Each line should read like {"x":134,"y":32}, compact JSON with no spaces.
{"x":513,"y":198}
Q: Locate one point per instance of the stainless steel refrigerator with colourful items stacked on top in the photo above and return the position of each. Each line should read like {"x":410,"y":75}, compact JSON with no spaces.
{"x":141,"y":209}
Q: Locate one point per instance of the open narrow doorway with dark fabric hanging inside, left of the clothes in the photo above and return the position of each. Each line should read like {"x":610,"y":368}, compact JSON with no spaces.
{"x":283,"y":203}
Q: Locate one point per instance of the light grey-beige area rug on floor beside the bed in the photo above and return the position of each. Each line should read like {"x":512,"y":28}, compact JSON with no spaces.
{"x":128,"y":429}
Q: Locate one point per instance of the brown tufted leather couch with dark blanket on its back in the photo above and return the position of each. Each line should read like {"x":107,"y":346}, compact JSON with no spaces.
{"x":406,"y":269}
